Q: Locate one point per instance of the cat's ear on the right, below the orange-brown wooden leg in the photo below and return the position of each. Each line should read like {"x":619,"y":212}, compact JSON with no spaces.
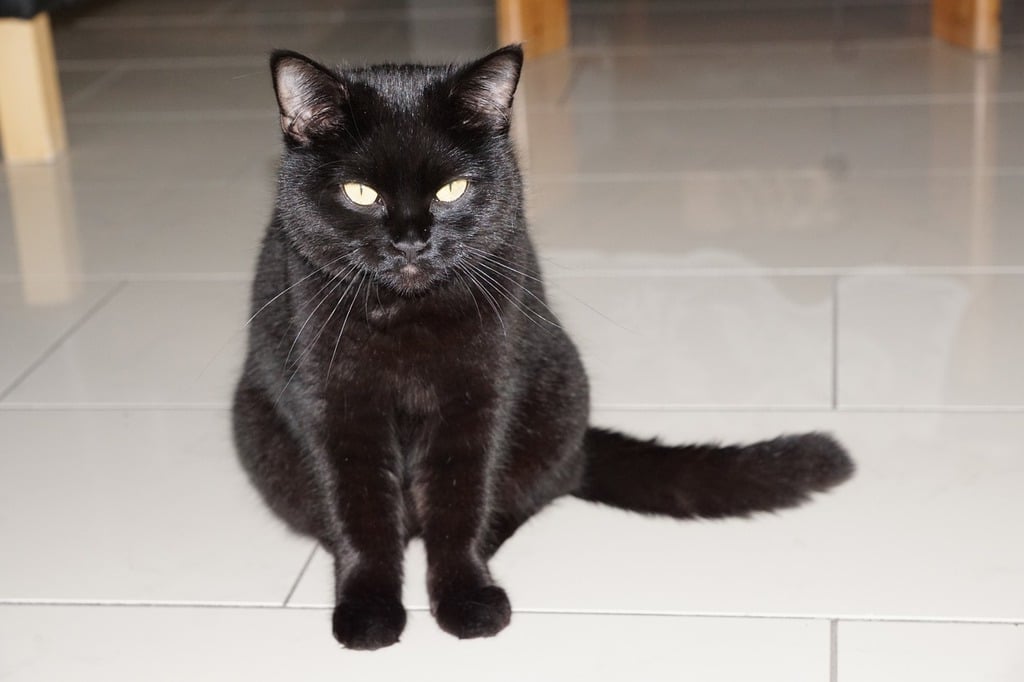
{"x":483,"y":92}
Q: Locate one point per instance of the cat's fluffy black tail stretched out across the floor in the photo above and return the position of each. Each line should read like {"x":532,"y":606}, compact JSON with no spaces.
{"x":710,"y":482}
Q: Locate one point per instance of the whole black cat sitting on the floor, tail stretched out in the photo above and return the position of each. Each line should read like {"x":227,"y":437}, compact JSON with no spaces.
{"x":405,"y":375}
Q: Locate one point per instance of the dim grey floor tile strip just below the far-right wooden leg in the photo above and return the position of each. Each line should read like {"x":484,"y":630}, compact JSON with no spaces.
{"x":747,"y":74}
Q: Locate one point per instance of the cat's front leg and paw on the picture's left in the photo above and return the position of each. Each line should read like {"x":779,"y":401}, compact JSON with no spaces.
{"x":369,"y":535}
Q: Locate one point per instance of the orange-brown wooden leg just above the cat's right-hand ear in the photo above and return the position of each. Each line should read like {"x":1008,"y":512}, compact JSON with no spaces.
{"x":542,"y":26}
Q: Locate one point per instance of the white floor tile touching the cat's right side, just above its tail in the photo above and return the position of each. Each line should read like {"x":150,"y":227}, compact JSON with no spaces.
{"x":736,"y":342}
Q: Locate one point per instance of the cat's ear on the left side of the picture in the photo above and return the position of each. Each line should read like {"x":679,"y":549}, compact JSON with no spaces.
{"x":310,"y":97}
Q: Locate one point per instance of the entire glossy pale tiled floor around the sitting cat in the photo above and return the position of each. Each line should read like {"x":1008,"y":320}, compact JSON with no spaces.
{"x":756,"y":218}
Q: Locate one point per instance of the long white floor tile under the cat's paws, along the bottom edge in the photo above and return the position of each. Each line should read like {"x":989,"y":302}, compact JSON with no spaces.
{"x":50,"y":644}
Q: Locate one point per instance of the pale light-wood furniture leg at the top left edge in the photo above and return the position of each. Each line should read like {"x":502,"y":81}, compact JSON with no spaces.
{"x":32,"y":127}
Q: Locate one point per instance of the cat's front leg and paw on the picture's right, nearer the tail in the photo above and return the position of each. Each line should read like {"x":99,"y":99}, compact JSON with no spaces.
{"x":453,"y":497}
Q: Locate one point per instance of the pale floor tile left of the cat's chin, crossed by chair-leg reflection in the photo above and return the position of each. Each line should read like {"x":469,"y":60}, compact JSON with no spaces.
{"x":114,"y":230}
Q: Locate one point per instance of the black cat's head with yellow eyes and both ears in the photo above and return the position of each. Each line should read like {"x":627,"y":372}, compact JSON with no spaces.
{"x":399,"y":173}
